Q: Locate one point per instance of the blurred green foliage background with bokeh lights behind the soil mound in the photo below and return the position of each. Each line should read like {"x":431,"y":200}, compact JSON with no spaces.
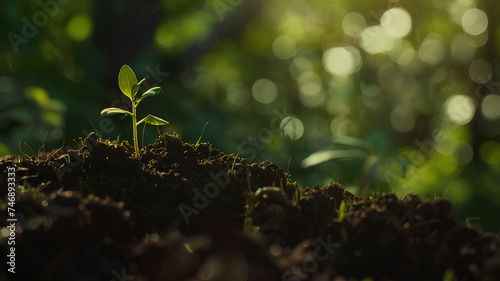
{"x":377,"y":95}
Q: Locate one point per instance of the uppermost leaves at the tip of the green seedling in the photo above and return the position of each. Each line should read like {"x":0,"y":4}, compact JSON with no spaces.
{"x":129,"y":85}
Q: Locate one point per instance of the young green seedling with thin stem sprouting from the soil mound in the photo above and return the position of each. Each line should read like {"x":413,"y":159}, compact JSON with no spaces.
{"x":129,"y":87}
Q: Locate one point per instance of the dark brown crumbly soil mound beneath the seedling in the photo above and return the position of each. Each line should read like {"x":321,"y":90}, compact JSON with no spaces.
{"x":190,"y":212}
